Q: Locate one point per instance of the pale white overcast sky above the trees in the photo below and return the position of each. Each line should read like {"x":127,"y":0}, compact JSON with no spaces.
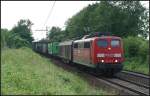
{"x":38,"y":13}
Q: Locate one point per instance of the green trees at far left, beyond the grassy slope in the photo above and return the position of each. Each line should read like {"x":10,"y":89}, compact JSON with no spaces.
{"x":19,"y":36}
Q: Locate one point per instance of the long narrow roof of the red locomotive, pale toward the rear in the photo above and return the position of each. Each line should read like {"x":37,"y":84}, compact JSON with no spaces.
{"x":93,"y":38}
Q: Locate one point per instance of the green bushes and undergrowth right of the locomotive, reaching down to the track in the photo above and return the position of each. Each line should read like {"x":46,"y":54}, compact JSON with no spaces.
{"x":136,"y":54}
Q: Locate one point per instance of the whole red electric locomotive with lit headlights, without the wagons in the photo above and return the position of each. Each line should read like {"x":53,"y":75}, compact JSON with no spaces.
{"x":104,"y":53}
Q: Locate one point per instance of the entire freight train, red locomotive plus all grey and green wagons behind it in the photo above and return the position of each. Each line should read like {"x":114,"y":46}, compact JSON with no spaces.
{"x":104,"y":54}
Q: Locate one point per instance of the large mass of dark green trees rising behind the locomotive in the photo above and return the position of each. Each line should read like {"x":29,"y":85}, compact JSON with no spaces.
{"x":120,"y":18}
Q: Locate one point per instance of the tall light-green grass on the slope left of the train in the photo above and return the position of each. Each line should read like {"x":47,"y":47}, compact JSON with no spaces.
{"x":25,"y":72}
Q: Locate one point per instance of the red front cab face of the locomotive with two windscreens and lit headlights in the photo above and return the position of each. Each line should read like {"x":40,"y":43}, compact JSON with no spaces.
{"x":109,"y":54}
